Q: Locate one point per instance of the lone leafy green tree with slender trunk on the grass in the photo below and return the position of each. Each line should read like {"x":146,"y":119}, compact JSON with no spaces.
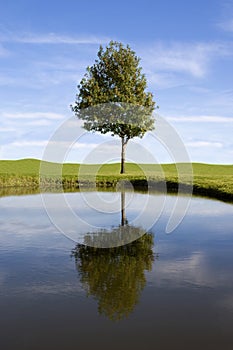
{"x":115,"y":89}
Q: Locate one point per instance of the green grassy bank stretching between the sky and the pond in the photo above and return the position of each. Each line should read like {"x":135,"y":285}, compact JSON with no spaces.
{"x":208,"y":180}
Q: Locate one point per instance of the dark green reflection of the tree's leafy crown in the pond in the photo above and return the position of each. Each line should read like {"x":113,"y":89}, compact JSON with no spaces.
{"x":115,"y":276}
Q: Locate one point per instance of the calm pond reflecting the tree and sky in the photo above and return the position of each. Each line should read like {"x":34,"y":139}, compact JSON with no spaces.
{"x":160,"y":291}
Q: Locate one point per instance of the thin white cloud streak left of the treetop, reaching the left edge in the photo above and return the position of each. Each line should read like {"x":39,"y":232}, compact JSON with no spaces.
{"x":52,"y":38}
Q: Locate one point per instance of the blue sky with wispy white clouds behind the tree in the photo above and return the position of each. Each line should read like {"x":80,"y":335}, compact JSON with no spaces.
{"x":186,"y":51}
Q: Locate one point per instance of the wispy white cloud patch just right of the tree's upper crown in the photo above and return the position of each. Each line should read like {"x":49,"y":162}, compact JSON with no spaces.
{"x":193,"y":59}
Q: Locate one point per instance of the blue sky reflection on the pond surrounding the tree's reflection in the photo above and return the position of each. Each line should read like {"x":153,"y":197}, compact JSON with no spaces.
{"x":189,"y":288}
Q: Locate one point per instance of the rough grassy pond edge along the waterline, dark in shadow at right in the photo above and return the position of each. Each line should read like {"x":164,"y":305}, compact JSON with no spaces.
{"x":27,"y":185}
